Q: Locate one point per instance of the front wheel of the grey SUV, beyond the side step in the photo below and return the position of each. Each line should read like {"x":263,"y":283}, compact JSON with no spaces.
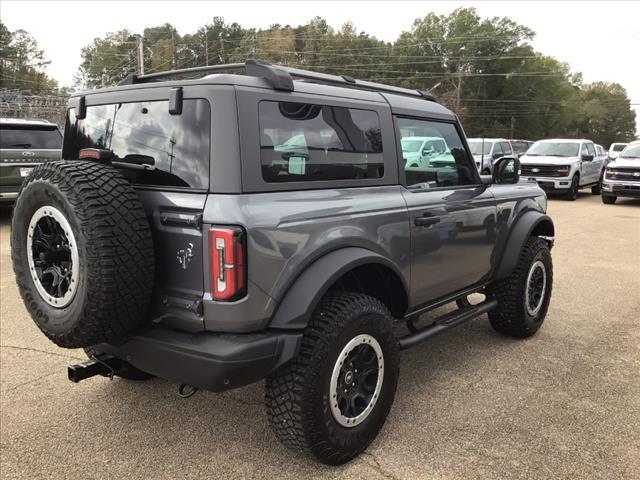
{"x":523,"y":297}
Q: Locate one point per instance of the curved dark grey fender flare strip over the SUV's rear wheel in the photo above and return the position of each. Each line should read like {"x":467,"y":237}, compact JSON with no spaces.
{"x":302,"y":297}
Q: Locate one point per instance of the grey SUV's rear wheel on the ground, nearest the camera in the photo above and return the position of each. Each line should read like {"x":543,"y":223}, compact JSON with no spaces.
{"x":333,"y":398}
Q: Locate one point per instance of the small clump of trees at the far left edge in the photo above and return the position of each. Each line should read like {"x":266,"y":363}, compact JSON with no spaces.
{"x":22,"y":63}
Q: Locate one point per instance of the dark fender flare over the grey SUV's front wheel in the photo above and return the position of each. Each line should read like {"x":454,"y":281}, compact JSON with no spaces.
{"x":520,"y":232}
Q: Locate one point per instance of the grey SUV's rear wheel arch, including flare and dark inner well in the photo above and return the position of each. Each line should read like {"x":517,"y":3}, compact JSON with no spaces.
{"x":352,"y":268}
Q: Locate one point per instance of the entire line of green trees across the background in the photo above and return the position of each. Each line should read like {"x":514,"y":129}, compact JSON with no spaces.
{"x":485,"y":69}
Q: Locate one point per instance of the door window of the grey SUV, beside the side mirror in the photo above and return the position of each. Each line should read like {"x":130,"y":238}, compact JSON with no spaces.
{"x":448,"y":166}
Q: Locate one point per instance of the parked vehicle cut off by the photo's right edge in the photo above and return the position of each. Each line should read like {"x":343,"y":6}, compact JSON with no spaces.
{"x":622,"y":176}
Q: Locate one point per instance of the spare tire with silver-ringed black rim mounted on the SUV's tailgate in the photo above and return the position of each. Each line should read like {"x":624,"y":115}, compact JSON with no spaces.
{"x":82,"y":253}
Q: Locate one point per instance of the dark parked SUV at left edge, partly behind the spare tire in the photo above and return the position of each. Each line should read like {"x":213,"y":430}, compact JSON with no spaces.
{"x":23,"y":145}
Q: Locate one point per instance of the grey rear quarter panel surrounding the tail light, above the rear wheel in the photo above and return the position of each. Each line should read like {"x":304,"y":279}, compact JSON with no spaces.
{"x":287,"y":231}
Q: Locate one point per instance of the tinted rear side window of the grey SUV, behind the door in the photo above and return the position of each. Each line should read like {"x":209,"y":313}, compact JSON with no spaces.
{"x":309,"y":142}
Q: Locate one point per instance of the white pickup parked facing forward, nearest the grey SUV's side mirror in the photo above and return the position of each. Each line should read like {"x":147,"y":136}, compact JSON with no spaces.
{"x":564,"y":166}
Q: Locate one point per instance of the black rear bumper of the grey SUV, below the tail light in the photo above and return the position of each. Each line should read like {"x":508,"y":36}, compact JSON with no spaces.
{"x":206,"y":360}
